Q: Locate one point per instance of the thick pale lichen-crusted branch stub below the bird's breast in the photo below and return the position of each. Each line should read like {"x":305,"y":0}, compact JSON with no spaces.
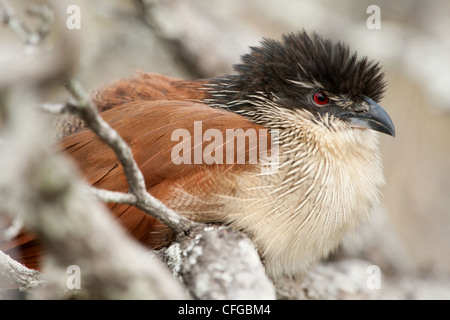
{"x":219,"y":263}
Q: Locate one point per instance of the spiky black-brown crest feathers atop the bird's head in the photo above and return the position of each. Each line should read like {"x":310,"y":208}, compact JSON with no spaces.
{"x":274,"y":66}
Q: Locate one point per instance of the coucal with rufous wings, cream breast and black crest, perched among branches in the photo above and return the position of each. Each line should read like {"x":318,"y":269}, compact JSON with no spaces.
{"x":318,"y":97}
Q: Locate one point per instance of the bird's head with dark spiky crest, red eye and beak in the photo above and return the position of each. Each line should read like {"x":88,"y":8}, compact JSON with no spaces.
{"x":306,"y":73}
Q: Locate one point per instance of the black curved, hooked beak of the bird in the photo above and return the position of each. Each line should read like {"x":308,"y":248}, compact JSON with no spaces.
{"x":370,"y":115}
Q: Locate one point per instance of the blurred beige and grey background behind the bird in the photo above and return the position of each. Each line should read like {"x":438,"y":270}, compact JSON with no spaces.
{"x":189,"y":39}
